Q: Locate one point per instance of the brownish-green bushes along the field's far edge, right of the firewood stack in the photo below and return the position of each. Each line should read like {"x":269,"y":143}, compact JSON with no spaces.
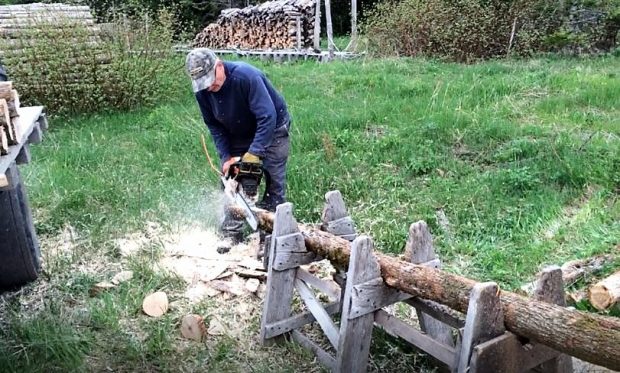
{"x":467,"y":30}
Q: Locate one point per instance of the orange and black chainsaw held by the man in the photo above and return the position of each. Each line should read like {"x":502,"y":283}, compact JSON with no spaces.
{"x":241,"y":187}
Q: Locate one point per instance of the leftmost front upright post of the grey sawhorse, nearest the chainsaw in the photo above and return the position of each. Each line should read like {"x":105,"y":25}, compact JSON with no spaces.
{"x":277,"y":304}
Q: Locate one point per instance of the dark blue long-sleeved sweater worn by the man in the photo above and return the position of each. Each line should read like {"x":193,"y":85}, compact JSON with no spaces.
{"x":244,"y":114}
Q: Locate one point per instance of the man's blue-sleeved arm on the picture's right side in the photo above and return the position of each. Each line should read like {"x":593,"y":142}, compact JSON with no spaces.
{"x":264,"y":110}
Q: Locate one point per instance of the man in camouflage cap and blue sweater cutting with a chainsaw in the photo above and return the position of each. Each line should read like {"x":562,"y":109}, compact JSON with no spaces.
{"x":247,"y":118}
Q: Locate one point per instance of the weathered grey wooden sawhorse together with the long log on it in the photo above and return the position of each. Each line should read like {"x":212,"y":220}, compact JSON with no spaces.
{"x":502,"y":331}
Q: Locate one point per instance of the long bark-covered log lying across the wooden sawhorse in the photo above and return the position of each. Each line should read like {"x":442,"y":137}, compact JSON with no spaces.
{"x":587,"y":336}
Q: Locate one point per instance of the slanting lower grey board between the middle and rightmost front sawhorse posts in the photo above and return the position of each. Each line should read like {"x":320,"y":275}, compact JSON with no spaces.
{"x":398,"y":328}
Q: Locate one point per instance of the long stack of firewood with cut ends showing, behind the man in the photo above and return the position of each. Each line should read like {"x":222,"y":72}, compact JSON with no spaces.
{"x":271,"y":25}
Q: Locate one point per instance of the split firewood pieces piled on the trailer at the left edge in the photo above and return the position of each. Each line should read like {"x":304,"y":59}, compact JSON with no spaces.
{"x":9,"y":103}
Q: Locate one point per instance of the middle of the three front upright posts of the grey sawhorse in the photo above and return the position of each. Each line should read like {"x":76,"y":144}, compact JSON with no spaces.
{"x":356,"y":333}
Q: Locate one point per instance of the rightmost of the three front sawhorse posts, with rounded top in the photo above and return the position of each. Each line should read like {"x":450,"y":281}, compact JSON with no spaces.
{"x":484,"y":321}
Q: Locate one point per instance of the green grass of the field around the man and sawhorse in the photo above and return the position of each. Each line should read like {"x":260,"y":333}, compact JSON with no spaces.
{"x":522,"y":157}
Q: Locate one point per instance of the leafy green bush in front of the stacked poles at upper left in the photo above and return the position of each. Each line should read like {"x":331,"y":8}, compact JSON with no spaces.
{"x":69,"y":68}
